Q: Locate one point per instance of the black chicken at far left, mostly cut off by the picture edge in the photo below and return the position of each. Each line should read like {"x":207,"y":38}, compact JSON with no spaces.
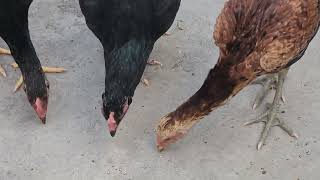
{"x":14,"y":30}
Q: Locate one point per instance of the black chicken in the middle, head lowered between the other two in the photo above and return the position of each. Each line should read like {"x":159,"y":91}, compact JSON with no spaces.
{"x":127,"y":30}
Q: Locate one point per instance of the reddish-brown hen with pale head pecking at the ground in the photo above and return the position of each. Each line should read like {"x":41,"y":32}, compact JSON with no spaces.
{"x":255,"y":37}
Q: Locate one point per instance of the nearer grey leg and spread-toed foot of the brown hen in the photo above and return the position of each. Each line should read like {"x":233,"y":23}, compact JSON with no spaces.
{"x":270,"y":117}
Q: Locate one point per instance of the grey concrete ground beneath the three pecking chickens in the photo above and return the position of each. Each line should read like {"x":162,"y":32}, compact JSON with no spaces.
{"x":75,"y":144}
